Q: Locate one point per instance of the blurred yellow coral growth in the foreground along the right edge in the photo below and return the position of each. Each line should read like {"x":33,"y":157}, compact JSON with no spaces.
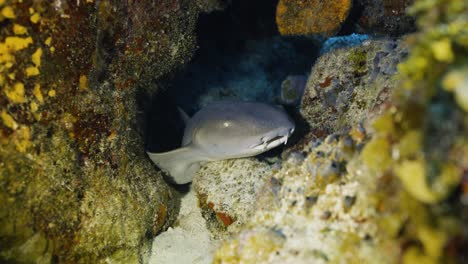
{"x":424,"y":138}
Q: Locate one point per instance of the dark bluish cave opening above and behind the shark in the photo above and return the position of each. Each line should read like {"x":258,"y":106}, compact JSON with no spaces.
{"x":240,"y":56}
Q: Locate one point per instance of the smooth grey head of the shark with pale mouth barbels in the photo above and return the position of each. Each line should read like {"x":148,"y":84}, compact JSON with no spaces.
{"x":233,"y":129}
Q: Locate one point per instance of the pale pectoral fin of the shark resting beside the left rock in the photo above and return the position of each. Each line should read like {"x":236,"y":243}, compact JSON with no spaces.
{"x":181,"y":163}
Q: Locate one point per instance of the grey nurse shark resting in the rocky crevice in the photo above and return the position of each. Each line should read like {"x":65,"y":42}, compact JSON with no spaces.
{"x":224,"y":130}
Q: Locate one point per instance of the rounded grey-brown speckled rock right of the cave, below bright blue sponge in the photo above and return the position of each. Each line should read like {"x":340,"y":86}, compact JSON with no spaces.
{"x":350,"y":85}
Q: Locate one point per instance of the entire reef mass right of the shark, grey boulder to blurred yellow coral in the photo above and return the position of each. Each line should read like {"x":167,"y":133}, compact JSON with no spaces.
{"x":392,"y":187}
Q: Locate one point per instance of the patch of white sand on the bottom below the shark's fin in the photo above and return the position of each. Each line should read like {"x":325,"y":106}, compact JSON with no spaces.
{"x":189,"y":242}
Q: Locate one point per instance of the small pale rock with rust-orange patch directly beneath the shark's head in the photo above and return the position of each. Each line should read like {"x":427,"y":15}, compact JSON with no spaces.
{"x":227,"y":192}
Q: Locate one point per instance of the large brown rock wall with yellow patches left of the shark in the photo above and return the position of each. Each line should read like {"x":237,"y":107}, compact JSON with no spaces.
{"x":76,"y":184}
